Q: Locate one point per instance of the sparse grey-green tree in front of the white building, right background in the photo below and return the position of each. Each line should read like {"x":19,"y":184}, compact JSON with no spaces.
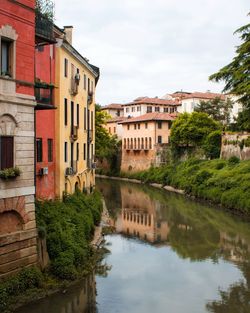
{"x":216,"y":108}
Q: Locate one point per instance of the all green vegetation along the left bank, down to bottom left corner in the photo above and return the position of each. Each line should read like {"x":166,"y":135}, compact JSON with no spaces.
{"x":68,"y":227}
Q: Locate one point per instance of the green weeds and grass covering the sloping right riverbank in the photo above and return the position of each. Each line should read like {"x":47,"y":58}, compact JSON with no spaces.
{"x":224,"y":182}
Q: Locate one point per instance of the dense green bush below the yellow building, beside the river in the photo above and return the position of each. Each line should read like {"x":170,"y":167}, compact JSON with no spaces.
{"x":68,"y":226}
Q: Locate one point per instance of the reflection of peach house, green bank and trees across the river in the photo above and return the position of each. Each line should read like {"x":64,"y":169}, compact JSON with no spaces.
{"x":194,"y":231}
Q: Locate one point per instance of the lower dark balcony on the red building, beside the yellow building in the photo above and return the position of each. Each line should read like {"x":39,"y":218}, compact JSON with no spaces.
{"x":44,"y":96}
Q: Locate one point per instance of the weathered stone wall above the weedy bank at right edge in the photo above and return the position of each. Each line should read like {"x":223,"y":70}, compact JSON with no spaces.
{"x":235,"y":145}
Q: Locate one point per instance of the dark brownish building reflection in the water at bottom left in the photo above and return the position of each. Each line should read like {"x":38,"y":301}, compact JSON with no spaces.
{"x":79,"y":298}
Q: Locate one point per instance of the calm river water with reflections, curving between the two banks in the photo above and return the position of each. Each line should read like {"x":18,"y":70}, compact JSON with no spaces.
{"x":168,"y":254}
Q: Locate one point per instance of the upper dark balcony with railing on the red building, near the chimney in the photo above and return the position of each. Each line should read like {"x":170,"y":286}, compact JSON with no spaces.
{"x":44,"y":29}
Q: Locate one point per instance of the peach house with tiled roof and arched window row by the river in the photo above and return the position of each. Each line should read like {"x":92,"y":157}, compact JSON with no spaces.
{"x":144,"y":138}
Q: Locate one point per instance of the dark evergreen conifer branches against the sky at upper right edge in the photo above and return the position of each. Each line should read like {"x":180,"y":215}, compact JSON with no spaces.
{"x":236,"y":74}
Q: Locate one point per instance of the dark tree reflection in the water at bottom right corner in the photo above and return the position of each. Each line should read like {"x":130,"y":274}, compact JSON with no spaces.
{"x":236,"y":299}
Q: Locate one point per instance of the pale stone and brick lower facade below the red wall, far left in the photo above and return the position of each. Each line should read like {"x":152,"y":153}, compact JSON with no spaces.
{"x":18,"y":235}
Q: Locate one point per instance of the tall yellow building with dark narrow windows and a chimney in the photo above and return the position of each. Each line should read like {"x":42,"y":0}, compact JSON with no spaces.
{"x":75,"y":80}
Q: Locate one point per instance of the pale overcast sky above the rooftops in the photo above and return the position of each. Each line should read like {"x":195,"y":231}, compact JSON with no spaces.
{"x":150,"y":48}
